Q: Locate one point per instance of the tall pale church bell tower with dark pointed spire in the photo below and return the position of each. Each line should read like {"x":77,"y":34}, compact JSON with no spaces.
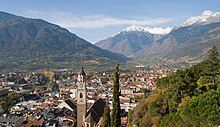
{"x":81,"y":98}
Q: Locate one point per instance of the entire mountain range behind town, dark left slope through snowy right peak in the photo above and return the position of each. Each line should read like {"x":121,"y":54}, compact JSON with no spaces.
{"x":28,"y":44}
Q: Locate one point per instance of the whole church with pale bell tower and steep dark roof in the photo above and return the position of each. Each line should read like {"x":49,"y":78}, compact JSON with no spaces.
{"x":87,"y":116}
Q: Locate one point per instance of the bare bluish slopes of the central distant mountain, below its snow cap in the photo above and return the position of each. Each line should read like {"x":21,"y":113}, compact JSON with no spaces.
{"x":127,"y":42}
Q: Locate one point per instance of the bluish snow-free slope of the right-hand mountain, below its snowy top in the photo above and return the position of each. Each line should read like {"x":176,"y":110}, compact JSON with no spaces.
{"x":190,"y":40}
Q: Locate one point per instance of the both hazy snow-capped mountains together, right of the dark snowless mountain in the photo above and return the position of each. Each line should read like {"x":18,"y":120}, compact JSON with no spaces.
{"x":191,"y":38}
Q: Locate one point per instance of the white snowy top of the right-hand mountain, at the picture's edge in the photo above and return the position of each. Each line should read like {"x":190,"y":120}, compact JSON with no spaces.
{"x":206,"y":18}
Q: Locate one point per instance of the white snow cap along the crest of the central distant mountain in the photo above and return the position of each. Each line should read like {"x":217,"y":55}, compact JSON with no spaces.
{"x":154,"y":30}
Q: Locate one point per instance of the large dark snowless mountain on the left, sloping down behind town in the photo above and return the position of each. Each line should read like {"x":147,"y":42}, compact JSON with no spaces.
{"x":36,"y":44}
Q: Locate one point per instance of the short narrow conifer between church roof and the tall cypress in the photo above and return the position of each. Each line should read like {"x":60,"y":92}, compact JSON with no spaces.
{"x":106,"y":117}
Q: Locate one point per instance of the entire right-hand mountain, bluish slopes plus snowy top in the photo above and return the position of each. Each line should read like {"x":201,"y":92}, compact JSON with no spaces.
{"x":192,"y":38}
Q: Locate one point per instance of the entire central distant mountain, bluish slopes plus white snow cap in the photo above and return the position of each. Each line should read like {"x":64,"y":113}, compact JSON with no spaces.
{"x":131,"y":40}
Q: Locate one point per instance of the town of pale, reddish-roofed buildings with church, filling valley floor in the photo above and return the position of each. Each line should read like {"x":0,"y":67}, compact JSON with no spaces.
{"x":56,"y":97}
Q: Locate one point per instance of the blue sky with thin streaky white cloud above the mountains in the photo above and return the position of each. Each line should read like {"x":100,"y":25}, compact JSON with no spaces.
{"x":95,"y":20}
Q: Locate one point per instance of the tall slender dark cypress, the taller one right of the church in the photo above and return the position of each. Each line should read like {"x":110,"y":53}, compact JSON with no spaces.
{"x":115,"y":115}
